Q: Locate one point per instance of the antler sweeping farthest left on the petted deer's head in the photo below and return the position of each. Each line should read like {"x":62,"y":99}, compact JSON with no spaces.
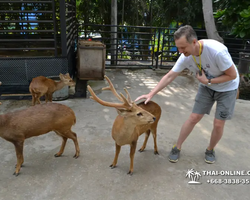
{"x":125,"y":103}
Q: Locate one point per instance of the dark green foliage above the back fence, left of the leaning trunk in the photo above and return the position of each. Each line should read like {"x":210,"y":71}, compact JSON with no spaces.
{"x":142,"y":12}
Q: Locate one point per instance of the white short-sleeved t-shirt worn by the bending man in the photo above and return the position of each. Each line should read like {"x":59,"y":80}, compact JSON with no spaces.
{"x":215,"y":59}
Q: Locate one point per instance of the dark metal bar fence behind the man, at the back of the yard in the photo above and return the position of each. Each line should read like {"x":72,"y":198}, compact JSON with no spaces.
{"x":147,"y":47}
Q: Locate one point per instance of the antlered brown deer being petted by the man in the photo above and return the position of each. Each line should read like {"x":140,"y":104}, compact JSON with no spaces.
{"x":132,"y":121}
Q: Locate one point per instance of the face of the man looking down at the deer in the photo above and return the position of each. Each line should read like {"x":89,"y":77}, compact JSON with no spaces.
{"x":185,"y":47}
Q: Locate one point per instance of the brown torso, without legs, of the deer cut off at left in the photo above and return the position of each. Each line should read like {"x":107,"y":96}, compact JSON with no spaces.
{"x":38,"y":119}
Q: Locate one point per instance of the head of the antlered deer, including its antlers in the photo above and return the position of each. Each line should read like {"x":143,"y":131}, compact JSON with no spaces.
{"x":127,"y":109}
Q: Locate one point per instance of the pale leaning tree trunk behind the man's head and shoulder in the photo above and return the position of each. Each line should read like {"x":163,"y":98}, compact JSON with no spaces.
{"x":212,"y":33}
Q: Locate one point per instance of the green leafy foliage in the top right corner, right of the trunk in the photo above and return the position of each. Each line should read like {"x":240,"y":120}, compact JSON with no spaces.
{"x":234,"y":16}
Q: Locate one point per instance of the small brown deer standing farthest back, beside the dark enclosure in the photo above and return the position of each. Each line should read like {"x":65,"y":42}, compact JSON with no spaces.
{"x":41,"y":85}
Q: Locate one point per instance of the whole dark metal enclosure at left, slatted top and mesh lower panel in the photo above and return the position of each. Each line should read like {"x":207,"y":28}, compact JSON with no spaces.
{"x":36,"y":38}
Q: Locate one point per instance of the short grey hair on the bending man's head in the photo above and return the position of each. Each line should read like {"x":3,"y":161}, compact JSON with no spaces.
{"x":186,"y":31}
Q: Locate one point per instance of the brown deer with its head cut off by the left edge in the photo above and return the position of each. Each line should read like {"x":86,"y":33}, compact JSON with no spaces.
{"x":36,"y":120}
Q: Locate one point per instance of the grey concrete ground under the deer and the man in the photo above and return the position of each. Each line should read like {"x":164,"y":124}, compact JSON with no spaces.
{"x":89,"y":177}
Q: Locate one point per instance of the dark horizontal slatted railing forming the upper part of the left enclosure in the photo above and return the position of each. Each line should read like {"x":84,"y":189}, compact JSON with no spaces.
{"x":31,"y":28}
